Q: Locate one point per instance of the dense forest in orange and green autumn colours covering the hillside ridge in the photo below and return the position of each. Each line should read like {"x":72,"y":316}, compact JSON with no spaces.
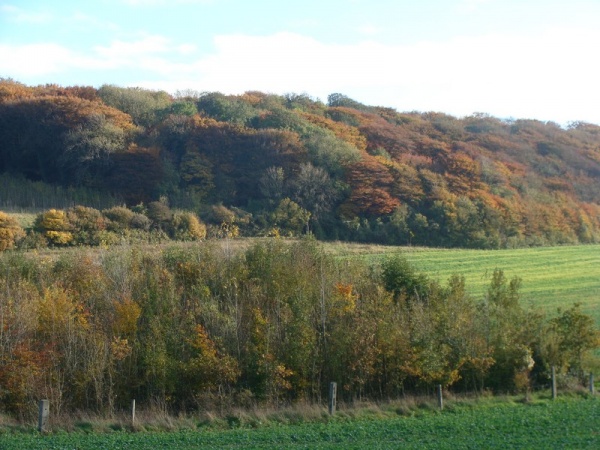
{"x":266,"y":165}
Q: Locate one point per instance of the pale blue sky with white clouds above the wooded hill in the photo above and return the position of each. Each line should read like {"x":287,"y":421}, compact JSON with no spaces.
{"x":512,"y":59}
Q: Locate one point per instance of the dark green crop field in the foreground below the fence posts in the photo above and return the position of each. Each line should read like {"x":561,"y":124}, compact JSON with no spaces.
{"x":569,"y":423}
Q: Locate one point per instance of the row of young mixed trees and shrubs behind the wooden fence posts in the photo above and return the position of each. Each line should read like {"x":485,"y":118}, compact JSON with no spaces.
{"x":198,"y":327}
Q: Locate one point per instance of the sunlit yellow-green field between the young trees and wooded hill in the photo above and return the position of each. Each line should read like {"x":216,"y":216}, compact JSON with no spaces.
{"x":552,"y":277}
